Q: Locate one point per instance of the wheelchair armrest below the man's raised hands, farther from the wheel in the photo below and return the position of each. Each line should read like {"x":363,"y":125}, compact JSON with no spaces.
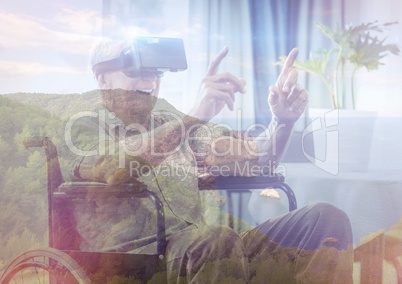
{"x":245,"y":183}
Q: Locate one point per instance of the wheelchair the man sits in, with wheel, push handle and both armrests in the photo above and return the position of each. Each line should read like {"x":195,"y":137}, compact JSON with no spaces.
{"x":64,"y":262}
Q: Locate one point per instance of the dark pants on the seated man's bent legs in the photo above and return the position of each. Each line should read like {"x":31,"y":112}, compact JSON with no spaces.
{"x":309,"y":245}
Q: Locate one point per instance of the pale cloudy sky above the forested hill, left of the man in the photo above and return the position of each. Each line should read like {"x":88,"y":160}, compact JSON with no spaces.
{"x":44,"y":44}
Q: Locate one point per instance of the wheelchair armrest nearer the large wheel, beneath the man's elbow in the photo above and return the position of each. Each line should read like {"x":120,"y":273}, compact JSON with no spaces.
{"x":70,"y":190}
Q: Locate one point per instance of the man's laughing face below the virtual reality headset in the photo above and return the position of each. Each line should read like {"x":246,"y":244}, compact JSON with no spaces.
{"x":139,"y":98}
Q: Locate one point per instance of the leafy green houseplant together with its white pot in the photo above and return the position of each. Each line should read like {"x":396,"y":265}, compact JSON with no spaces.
{"x":354,"y":47}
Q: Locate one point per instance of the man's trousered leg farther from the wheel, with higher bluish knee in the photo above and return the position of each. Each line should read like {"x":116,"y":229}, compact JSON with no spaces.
{"x":309,"y":245}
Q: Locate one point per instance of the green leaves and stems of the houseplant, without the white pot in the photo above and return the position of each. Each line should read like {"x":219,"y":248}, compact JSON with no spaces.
{"x":358,"y":46}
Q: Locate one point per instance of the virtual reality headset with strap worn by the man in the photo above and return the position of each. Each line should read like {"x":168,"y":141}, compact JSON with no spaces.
{"x":147,"y":55}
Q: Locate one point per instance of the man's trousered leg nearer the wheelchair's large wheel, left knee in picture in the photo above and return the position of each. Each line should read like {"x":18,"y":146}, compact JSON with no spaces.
{"x":210,"y":254}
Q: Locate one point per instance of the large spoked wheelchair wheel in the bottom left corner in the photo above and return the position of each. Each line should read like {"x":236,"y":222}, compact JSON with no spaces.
{"x":44,"y":266}
